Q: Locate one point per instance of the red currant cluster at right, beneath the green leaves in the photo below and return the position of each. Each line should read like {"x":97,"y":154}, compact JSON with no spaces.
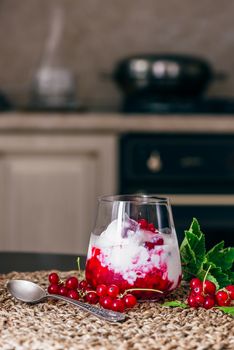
{"x":204,"y":294}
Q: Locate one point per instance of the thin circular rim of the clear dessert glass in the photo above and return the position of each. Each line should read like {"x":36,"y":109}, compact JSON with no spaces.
{"x":135,"y":198}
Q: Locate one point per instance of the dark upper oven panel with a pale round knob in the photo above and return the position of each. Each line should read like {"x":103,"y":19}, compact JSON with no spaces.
{"x":179,"y":158}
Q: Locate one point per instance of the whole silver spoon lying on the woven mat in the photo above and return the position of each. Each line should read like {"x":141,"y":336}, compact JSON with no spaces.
{"x":30,"y":292}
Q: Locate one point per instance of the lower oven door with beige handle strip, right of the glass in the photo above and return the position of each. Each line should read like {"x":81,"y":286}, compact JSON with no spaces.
{"x":215,"y":214}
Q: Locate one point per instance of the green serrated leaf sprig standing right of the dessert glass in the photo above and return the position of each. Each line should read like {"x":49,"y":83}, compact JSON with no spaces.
{"x":196,"y":261}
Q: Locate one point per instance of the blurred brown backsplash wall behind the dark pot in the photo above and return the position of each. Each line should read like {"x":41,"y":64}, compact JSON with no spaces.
{"x":97,"y":33}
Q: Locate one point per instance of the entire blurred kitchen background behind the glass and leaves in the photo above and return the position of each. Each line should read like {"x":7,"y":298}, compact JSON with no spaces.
{"x":75,"y":124}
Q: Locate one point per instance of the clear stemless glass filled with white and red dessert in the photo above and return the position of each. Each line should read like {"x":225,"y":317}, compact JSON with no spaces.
{"x":134,"y":246}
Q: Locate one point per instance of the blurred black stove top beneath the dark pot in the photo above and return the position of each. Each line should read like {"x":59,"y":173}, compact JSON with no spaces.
{"x":204,"y":105}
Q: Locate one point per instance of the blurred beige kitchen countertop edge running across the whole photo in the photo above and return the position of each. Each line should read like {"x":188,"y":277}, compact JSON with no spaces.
{"x":114,"y":123}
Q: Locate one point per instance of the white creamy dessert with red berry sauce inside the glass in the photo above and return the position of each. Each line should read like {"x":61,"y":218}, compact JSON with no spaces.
{"x":135,"y":255}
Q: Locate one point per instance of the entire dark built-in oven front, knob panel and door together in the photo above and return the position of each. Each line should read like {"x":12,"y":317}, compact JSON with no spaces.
{"x":195,"y":171}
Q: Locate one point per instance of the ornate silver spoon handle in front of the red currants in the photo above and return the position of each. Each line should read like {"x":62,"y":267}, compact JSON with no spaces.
{"x":108,"y":315}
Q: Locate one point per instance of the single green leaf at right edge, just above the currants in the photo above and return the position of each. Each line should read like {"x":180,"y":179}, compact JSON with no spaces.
{"x":220,"y":256}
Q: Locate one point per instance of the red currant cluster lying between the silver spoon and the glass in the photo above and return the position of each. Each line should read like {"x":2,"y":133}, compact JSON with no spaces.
{"x":108,"y":297}
